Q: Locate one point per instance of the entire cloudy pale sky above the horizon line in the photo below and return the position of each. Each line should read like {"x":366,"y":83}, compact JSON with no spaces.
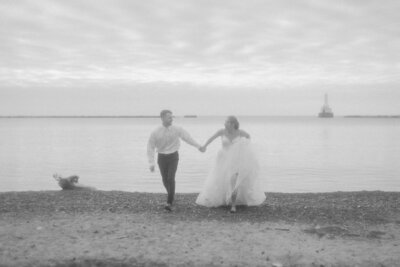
{"x":204,"y":57}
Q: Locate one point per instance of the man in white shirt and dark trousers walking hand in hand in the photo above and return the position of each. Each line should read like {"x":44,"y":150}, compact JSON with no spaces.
{"x":166,"y":141}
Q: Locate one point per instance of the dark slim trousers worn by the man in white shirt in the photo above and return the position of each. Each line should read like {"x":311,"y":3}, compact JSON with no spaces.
{"x":168,"y":164}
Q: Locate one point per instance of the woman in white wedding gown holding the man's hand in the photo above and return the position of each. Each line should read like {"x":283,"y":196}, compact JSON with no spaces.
{"x":234,"y":178}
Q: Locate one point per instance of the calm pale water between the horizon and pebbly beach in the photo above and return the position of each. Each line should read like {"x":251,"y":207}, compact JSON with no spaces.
{"x":297,"y":154}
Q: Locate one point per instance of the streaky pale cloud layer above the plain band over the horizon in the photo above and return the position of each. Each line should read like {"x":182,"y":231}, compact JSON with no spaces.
{"x":228,"y":43}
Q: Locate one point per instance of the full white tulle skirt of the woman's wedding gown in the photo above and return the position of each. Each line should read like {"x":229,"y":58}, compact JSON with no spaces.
{"x":235,"y":169}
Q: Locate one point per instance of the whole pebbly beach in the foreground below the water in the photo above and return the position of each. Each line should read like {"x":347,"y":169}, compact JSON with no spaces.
{"x":116,"y":228}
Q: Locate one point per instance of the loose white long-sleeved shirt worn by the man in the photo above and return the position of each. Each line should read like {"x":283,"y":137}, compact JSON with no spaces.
{"x":166,"y":140}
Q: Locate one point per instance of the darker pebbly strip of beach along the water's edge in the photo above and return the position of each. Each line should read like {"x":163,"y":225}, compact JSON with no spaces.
{"x":372,"y":207}
